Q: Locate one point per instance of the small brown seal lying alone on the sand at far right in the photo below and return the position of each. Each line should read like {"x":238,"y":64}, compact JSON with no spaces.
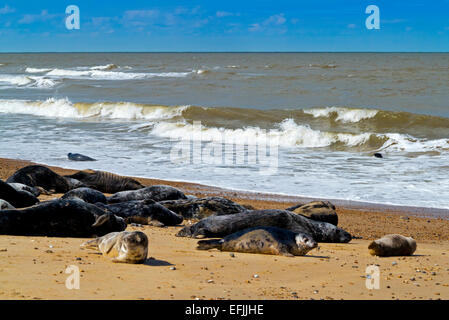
{"x":392,"y":245}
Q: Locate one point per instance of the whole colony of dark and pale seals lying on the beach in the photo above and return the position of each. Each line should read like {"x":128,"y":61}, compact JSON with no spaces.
{"x":85,"y":211}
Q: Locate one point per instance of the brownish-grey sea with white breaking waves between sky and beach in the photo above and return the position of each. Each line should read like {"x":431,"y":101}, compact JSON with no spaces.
{"x":303,"y":124}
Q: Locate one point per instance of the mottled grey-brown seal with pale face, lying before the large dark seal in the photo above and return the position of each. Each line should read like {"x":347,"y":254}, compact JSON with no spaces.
{"x":265,"y":240}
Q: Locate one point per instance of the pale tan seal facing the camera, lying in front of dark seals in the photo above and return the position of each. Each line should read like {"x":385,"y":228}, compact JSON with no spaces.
{"x":125,"y":246}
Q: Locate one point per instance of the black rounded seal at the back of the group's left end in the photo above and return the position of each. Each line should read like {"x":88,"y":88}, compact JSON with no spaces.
{"x":40,"y":176}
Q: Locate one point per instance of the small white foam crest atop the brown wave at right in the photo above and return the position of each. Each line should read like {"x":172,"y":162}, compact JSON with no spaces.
{"x":343,"y":114}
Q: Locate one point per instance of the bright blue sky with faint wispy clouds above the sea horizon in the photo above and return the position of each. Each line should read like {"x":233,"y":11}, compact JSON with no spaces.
{"x":275,"y":25}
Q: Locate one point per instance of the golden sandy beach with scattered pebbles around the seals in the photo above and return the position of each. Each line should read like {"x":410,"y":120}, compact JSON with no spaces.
{"x":34,"y":267}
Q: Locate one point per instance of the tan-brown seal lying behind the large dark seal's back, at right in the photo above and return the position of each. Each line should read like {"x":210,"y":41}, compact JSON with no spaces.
{"x":317,"y":210}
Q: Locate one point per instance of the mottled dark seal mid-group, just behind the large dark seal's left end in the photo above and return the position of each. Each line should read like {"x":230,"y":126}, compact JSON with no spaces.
{"x":200,"y":208}
